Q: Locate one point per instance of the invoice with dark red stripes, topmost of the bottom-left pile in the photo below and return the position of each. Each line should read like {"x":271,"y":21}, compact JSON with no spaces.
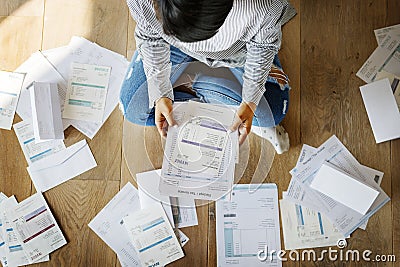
{"x":36,"y":227}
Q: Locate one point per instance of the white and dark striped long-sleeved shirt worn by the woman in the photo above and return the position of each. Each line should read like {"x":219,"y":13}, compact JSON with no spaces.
{"x":250,"y":37}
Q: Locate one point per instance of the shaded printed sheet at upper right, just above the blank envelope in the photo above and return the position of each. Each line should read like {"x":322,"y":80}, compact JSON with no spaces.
{"x":385,"y":57}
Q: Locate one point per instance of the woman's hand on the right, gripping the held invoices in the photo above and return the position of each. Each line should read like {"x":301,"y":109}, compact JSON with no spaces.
{"x":243,"y":120}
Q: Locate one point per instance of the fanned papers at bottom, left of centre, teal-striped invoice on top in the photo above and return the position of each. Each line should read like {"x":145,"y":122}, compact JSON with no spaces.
{"x":132,"y":233}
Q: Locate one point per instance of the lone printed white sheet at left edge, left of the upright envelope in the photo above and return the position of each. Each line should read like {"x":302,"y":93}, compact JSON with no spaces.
{"x":10,"y":88}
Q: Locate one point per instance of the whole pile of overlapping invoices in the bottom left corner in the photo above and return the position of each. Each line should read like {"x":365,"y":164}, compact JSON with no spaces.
{"x":28,"y":231}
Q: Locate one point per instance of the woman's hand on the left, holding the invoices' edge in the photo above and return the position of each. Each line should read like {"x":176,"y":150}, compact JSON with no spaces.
{"x":163,"y":115}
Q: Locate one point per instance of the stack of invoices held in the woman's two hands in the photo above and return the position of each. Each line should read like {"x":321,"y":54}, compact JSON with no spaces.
{"x":191,"y":178}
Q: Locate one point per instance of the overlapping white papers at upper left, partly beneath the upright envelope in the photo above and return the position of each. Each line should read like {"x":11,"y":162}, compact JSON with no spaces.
{"x":58,"y":66}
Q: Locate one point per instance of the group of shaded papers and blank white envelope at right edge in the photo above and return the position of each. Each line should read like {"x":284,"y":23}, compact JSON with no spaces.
{"x":380,"y":96}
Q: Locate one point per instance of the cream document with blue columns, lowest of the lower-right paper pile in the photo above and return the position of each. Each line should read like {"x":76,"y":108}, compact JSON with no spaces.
{"x":306,"y":228}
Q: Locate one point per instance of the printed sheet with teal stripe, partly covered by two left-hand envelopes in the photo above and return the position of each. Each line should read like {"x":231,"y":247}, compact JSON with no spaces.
{"x":34,"y":151}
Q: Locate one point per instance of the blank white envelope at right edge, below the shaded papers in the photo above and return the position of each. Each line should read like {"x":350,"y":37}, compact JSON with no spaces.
{"x":382,"y":110}
